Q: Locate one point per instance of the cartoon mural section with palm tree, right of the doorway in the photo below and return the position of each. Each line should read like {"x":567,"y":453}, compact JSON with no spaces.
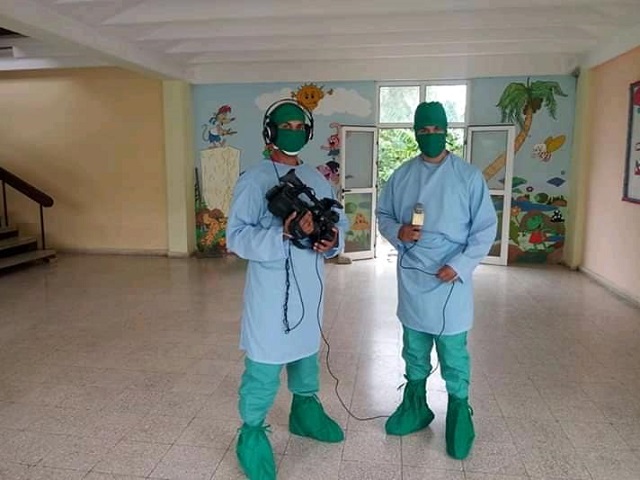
{"x":542,"y":110}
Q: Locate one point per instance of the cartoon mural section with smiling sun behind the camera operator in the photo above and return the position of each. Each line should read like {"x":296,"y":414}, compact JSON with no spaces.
{"x":230,"y":140}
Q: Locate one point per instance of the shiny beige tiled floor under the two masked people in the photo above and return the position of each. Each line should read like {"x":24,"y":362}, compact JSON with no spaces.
{"x":121,"y":368}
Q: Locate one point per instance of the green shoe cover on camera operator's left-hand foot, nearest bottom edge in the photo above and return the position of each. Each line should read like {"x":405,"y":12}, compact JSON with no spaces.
{"x":255,"y":454}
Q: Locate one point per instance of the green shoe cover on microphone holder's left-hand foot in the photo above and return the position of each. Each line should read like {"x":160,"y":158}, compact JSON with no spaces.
{"x":413,"y":414}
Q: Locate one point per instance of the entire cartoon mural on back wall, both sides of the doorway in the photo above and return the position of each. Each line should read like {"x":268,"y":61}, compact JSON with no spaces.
{"x":229,"y":140}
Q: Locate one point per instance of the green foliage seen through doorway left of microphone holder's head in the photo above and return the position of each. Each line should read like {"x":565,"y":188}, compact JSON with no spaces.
{"x":395,"y":145}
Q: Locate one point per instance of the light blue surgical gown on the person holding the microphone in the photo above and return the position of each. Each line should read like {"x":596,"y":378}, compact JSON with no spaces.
{"x":459,"y":229}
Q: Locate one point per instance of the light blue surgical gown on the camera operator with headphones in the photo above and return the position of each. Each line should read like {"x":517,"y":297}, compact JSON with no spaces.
{"x":255,"y":234}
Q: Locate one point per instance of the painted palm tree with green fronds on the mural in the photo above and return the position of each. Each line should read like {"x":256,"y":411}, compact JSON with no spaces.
{"x":518,"y":104}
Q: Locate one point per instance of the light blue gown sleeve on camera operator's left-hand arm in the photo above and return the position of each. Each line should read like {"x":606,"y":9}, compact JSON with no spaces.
{"x":246,"y":237}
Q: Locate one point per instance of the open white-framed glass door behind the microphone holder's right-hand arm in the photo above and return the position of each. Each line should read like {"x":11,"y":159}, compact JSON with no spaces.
{"x":491,"y":149}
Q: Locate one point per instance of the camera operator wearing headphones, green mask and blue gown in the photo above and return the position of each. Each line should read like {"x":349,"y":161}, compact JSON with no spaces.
{"x":283,"y":296}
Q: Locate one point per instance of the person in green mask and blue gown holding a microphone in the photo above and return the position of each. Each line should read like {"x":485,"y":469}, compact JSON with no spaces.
{"x":435,"y":266}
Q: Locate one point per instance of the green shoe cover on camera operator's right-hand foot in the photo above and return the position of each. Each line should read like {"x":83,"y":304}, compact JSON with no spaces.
{"x":308,"y":419}
